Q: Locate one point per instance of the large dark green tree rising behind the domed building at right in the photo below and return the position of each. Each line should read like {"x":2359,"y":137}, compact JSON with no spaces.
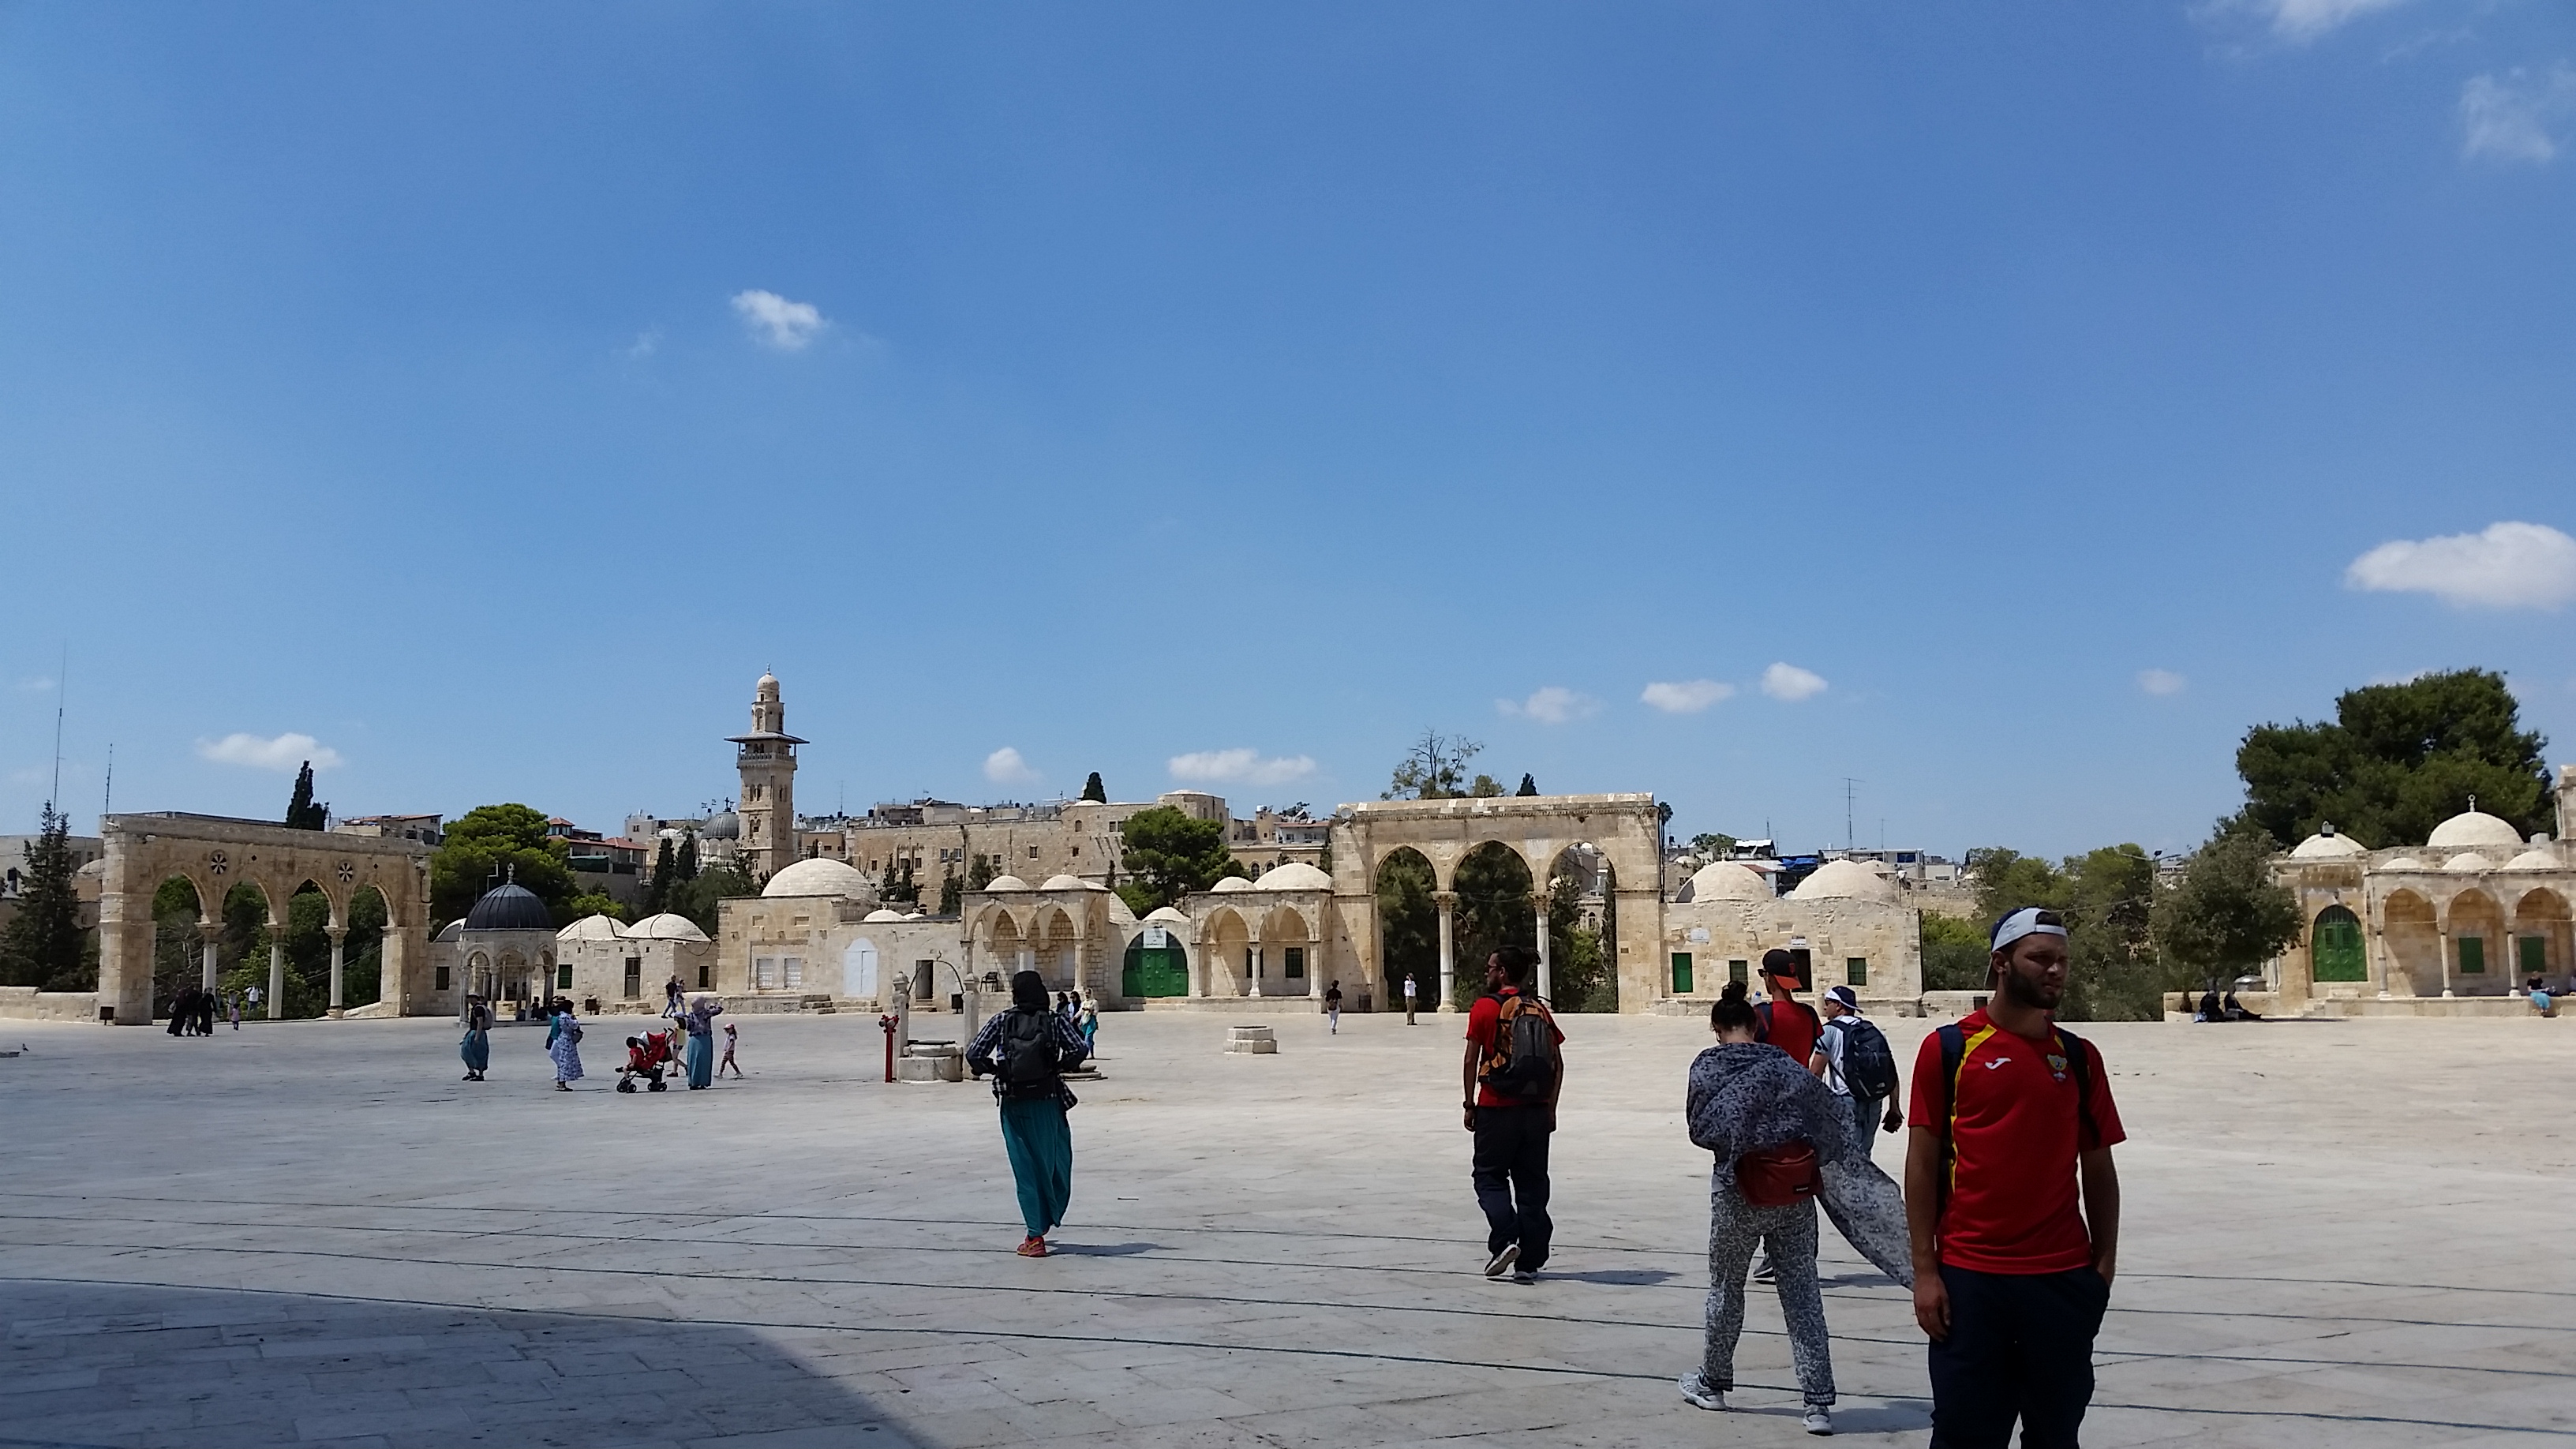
{"x":2397,"y":762}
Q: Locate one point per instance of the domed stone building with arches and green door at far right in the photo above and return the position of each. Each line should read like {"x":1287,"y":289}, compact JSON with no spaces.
{"x":2451,"y":927}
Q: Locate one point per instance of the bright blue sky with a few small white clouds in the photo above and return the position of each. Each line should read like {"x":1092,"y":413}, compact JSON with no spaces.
{"x":1993,"y":404}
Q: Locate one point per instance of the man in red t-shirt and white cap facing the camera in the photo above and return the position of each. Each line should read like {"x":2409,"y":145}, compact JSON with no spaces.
{"x":2011,"y":1280}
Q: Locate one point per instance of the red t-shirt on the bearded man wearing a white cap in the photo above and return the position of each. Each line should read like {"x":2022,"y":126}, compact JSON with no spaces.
{"x":2016,"y":1138}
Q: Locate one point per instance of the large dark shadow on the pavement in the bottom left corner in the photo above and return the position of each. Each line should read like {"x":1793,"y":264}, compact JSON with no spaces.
{"x":138,"y":1368}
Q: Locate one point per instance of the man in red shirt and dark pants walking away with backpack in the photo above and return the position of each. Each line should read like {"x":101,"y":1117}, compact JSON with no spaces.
{"x":1511,"y":1107}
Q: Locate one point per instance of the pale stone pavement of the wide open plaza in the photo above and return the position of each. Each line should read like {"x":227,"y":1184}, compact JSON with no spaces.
{"x":313,"y":1234}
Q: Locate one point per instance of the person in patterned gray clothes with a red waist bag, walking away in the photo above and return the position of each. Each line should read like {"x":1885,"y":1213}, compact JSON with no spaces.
{"x":1781,"y":1146}
